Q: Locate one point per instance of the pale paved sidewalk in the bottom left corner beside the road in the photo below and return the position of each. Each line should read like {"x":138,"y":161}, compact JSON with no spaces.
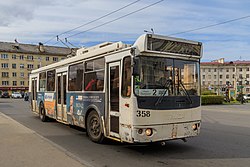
{"x":20,"y":146}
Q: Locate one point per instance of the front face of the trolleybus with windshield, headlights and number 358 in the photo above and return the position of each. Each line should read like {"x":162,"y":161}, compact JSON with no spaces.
{"x":166,"y":89}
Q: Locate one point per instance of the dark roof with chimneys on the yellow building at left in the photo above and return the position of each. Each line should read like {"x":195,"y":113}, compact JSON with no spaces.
{"x":33,"y":49}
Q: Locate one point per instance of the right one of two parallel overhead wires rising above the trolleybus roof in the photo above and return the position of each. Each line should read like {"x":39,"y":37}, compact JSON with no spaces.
{"x":115,"y":19}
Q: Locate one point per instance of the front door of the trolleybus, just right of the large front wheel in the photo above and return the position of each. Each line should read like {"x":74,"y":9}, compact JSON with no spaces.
{"x":114,"y":94}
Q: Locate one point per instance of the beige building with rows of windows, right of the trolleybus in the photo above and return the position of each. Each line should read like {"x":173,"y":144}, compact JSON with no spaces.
{"x":218,"y":75}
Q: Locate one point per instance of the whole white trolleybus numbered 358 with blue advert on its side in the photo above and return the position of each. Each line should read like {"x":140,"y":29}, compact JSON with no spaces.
{"x":147,"y":92}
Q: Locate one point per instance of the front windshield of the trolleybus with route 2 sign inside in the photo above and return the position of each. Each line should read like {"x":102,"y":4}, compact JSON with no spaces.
{"x":167,"y":77}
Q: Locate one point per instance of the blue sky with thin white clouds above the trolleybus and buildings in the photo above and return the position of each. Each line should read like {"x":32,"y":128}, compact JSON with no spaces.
{"x":32,"y":21}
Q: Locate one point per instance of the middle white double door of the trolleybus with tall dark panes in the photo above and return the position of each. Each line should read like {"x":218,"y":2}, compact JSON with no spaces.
{"x":61,"y":97}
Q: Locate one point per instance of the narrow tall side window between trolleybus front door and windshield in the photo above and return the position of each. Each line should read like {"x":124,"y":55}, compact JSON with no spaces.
{"x":126,"y":77}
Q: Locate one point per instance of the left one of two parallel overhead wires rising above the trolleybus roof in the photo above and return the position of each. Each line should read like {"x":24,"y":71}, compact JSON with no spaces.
{"x":93,"y":20}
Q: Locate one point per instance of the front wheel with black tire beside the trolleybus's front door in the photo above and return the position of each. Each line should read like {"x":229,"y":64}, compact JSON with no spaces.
{"x":94,"y":127}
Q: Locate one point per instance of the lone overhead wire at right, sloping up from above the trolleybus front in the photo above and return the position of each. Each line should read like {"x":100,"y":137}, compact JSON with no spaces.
{"x":212,"y":25}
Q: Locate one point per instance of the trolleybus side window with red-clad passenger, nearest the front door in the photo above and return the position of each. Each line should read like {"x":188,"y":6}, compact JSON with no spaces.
{"x":94,"y":75}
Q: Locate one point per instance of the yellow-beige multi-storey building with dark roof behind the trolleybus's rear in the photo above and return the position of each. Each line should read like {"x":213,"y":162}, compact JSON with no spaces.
{"x":17,"y":60}
